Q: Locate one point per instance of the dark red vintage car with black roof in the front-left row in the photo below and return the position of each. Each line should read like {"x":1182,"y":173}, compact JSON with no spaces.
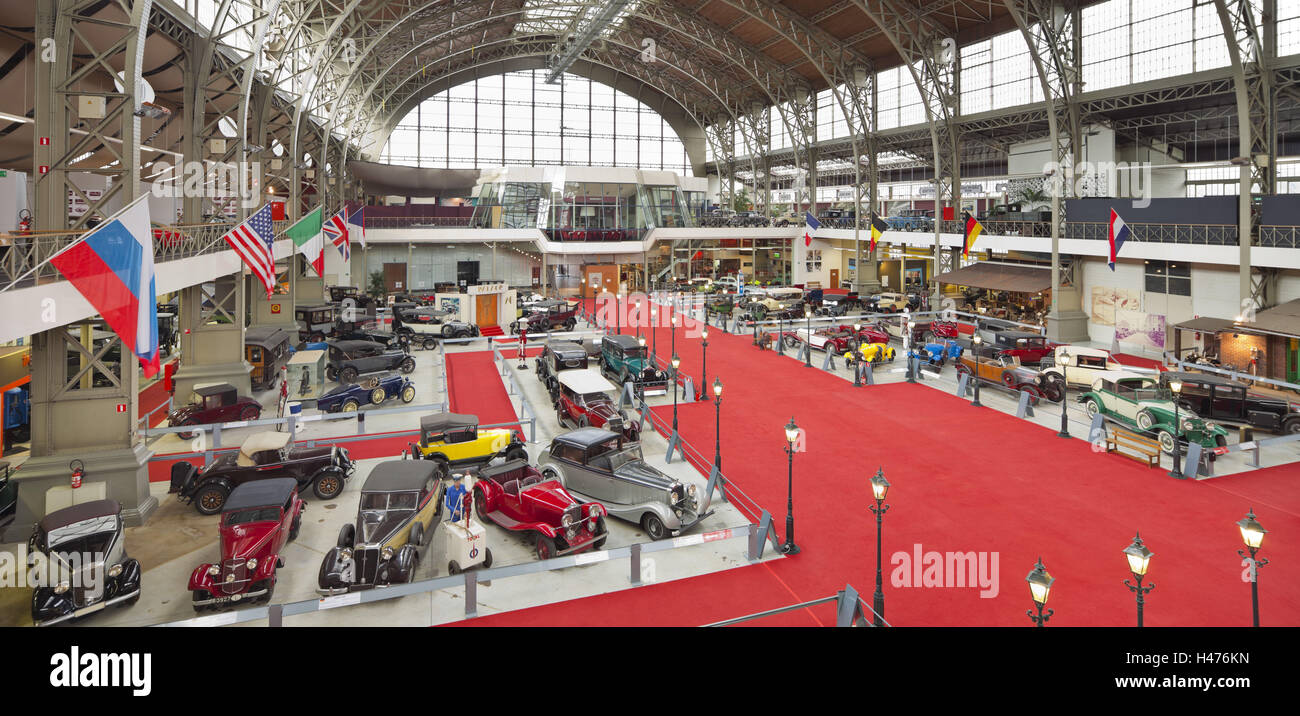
{"x":258,"y":522}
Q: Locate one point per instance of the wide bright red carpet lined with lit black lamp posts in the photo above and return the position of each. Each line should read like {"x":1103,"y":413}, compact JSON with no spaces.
{"x":961,"y":484}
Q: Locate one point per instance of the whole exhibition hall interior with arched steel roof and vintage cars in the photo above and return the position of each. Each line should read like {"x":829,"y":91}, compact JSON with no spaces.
{"x":801,"y":314}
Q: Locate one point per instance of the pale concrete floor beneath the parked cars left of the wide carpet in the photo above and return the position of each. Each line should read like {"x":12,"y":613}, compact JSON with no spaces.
{"x":177,"y":540}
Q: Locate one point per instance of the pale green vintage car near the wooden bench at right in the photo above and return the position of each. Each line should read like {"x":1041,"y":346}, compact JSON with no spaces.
{"x":1138,"y":401}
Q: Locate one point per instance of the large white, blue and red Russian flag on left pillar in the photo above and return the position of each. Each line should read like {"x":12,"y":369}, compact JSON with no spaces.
{"x":112,"y":267}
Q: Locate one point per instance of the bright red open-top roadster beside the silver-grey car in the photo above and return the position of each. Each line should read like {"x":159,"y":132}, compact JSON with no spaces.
{"x":515,"y":497}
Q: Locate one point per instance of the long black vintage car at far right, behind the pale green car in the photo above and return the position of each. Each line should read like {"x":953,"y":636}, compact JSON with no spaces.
{"x":1217,"y":398}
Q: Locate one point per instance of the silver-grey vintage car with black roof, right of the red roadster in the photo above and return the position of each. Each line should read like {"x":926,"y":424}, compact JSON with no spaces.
{"x":600,"y":466}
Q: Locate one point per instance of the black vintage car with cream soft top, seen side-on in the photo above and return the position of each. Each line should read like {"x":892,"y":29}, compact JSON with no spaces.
{"x":262,"y":457}
